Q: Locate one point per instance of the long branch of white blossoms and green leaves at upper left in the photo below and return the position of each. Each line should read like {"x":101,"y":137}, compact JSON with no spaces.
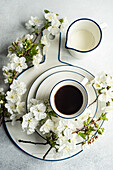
{"x":25,"y":51}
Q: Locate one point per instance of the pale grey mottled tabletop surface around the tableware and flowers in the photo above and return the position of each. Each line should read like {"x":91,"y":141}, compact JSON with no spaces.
{"x":13,"y":15}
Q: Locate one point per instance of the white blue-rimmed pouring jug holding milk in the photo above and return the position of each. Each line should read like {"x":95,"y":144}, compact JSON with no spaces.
{"x":83,"y":36}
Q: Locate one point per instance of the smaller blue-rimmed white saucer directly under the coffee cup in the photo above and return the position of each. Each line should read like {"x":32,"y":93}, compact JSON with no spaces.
{"x":44,"y":89}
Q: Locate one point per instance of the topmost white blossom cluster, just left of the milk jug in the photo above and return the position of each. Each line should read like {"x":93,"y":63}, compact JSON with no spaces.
{"x":52,"y":23}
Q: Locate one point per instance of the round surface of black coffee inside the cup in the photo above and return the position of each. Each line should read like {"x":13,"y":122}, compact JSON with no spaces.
{"x":68,"y":99}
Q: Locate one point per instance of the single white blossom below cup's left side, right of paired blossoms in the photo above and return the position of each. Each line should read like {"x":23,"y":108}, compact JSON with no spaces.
{"x":47,"y":126}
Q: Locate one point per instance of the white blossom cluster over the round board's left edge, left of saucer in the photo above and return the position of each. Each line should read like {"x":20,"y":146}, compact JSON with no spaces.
{"x":14,"y":105}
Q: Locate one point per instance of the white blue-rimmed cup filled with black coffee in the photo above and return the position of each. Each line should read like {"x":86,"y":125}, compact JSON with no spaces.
{"x":61,"y":98}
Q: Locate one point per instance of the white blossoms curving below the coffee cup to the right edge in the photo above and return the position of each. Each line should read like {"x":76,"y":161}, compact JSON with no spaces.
{"x":68,"y":130}
